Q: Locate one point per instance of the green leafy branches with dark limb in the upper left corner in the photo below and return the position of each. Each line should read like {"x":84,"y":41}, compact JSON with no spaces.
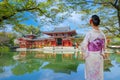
{"x":12,"y":11}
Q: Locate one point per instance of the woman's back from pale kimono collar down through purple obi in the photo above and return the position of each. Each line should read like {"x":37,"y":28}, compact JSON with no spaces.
{"x":96,"y":40}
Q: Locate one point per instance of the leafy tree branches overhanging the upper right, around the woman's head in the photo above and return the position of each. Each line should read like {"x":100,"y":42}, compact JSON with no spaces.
{"x":108,"y":10}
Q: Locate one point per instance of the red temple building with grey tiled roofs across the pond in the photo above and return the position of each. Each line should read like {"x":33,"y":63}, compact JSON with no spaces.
{"x":60,"y":36}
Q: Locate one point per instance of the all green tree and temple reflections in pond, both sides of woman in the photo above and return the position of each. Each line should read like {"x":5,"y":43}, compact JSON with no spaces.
{"x":57,"y":62}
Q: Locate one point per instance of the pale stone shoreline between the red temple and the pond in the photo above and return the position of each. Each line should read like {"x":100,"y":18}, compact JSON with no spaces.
{"x":59,"y":49}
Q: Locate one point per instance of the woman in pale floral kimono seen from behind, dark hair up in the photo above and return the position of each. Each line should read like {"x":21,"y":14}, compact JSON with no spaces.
{"x":93,"y":47}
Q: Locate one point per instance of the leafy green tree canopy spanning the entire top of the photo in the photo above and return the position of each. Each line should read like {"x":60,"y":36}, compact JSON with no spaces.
{"x":56,"y":11}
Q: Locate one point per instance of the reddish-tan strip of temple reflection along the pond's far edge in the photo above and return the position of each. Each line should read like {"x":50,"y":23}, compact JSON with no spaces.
{"x":41,"y":55}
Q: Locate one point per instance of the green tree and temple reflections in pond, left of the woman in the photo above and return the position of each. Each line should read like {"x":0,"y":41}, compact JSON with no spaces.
{"x":57,"y":62}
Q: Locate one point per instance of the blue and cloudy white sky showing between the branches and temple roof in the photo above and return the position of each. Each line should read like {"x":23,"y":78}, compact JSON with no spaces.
{"x":74,"y":22}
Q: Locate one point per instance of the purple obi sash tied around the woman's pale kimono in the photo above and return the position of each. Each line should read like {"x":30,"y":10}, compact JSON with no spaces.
{"x":96,"y":45}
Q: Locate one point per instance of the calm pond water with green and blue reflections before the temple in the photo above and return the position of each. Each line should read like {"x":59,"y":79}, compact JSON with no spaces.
{"x":52,"y":66}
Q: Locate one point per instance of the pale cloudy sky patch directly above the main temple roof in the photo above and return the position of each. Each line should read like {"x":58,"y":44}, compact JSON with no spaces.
{"x":73,"y":22}
